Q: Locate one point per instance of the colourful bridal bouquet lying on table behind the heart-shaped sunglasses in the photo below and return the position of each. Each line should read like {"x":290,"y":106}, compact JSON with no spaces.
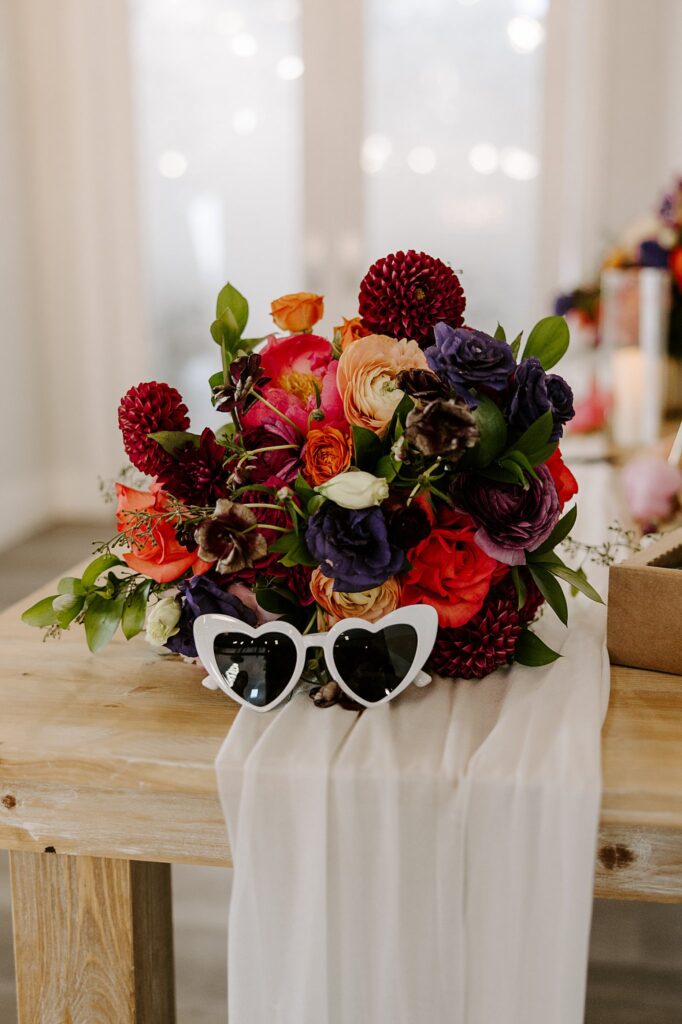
{"x":409,"y":460}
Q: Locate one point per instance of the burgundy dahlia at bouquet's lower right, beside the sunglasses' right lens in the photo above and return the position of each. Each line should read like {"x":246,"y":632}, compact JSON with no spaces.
{"x":487,"y":643}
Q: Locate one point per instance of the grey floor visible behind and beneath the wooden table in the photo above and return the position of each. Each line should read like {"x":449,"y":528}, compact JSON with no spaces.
{"x":636,"y":950}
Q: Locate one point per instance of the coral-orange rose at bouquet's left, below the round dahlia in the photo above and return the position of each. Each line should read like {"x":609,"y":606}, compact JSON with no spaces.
{"x":155,"y":551}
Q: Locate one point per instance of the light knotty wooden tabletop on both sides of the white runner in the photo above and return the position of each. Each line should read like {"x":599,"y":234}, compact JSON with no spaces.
{"x":113,"y":756}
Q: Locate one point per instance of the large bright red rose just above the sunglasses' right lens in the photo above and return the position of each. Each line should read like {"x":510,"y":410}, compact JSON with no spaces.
{"x":450,"y":572}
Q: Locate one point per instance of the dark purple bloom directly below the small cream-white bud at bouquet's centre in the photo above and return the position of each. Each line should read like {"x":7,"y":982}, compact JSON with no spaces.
{"x":353,"y":547}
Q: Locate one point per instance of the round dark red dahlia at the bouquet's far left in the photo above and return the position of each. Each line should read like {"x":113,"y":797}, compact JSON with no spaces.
{"x":145,"y":410}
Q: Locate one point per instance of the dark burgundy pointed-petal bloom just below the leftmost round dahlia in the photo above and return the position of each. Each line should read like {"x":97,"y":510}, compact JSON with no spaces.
{"x":197,"y":476}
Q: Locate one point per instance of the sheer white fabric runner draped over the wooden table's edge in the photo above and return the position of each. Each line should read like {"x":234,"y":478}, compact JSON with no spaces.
{"x":428,"y":863}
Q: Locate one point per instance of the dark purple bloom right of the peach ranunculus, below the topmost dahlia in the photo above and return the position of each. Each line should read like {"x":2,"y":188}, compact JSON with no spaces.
{"x":466,"y":359}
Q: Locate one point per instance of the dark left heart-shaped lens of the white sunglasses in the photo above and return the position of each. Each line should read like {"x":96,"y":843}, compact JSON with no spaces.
{"x":258,"y":669}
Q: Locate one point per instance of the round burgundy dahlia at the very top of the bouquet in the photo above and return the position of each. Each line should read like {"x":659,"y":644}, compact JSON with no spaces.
{"x":405,"y":295}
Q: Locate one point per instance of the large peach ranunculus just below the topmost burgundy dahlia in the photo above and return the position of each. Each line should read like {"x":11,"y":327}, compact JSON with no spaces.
{"x":367,"y":378}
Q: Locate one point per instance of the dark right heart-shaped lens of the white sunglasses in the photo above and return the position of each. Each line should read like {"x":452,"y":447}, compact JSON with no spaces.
{"x":373,"y":665}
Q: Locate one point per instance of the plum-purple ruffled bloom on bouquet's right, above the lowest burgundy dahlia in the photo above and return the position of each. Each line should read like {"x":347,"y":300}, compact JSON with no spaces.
{"x":510,"y":520}
